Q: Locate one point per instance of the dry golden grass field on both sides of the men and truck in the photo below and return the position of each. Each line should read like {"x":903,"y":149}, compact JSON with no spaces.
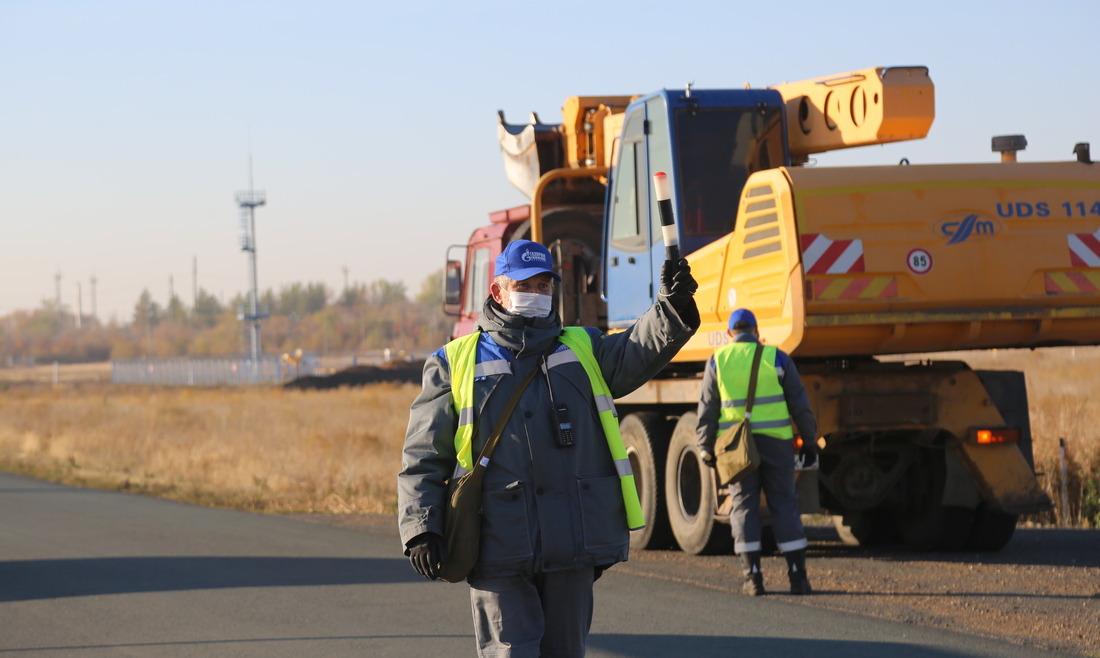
{"x":339,"y":452}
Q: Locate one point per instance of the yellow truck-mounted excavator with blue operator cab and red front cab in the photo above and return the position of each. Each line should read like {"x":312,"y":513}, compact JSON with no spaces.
{"x":841,"y":266}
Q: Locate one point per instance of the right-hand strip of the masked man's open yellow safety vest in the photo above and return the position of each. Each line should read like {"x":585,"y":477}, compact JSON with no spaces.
{"x":578,"y":341}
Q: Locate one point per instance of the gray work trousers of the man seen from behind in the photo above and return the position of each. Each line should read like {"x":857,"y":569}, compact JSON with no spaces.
{"x":776,"y":478}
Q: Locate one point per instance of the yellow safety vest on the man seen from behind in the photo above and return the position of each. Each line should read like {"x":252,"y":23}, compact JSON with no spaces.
{"x":771,"y":415}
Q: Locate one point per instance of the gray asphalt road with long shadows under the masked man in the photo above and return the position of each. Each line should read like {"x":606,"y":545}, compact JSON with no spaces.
{"x":87,"y":573}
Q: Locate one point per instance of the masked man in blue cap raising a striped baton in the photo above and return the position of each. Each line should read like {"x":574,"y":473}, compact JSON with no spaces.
{"x":558,"y":498}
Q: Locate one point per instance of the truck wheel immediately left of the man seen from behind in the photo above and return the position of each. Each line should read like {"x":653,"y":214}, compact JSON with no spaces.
{"x":691,"y":497}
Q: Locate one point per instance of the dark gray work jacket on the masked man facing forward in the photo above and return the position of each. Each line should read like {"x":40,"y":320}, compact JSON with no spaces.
{"x":546,"y":508}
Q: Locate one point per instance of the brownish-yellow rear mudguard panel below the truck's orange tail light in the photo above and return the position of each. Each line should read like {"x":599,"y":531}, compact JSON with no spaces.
{"x":1005,"y":478}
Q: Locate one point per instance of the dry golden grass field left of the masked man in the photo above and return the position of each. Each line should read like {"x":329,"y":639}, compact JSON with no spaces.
{"x":256,"y":448}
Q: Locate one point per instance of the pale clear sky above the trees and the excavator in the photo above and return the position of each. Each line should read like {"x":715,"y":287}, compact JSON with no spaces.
{"x":126,"y":126}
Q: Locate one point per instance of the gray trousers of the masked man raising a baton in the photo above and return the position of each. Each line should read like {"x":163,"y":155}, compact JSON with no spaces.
{"x":548,"y":615}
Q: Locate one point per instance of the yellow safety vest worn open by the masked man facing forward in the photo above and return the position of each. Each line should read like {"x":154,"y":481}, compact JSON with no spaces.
{"x":461,"y":356}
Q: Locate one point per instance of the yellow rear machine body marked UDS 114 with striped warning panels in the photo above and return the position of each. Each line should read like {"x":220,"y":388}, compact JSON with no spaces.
{"x":867,"y":261}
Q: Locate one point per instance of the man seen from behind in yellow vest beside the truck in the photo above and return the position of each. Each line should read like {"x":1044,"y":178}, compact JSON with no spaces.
{"x":779,"y":399}
